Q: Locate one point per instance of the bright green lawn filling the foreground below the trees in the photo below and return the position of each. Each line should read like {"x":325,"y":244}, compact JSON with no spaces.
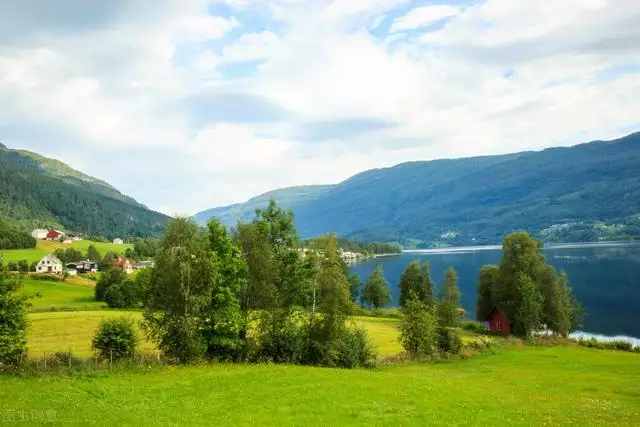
{"x":518,"y":386}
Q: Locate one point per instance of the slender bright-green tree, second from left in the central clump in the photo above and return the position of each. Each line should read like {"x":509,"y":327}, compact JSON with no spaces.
{"x":225,"y":322}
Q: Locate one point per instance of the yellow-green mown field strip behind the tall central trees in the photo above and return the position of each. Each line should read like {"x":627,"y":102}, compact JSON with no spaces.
{"x":73,"y":331}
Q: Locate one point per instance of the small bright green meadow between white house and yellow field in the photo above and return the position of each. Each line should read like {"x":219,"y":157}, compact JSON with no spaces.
{"x":75,"y":294}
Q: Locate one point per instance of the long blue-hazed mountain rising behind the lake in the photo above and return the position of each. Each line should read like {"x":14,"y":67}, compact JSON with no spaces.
{"x":585,"y":192}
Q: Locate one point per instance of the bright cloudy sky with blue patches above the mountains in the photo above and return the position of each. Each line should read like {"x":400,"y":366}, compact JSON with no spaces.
{"x":191,"y":104}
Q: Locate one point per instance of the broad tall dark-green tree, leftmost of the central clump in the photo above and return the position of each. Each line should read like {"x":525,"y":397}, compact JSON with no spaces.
{"x":180,"y":292}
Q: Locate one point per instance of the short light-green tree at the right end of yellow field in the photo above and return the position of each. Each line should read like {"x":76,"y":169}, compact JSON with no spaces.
{"x":418,"y":328}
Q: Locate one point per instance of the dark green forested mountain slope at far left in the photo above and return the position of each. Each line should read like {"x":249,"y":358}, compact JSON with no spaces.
{"x":37,"y":191}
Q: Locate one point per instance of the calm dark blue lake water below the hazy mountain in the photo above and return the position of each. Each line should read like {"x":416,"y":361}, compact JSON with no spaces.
{"x":605,"y":277}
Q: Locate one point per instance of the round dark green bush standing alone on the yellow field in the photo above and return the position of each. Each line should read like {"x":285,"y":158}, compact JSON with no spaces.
{"x":116,"y":339}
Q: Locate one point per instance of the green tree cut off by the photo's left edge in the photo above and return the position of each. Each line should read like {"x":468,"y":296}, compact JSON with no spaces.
{"x":13,"y":321}
